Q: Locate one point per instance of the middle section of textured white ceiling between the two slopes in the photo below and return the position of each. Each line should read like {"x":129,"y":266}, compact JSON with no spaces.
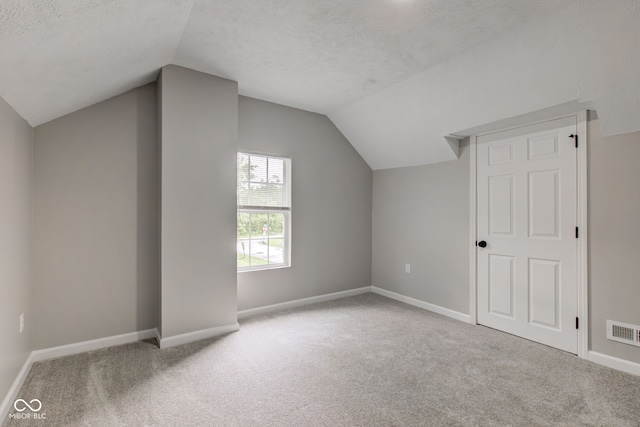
{"x":320,"y":55}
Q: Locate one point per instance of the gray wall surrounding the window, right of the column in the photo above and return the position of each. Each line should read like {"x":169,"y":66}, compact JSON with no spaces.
{"x":331,"y":205}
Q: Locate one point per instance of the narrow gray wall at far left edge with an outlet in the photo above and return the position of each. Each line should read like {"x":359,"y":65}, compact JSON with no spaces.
{"x":16,"y":171}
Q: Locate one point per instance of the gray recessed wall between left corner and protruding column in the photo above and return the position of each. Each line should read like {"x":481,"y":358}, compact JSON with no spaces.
{"x":95,"y":221}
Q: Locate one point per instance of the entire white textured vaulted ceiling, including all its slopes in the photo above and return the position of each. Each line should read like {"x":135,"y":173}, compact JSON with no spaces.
{"x":395,"y":76}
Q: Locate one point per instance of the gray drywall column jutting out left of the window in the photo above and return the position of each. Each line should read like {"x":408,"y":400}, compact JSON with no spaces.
{"x":199,"y":127}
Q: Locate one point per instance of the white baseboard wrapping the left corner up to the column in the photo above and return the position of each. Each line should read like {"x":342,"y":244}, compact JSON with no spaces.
{"x":67,"y":350}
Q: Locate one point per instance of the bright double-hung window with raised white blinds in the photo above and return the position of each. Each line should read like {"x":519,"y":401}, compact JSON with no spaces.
{"x":264,"y":211}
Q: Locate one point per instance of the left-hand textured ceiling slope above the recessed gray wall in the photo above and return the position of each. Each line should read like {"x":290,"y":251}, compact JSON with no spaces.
{"x":57,"y":56}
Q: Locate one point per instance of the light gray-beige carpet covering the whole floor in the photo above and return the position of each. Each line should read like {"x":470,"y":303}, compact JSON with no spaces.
{"x":359,"y":361}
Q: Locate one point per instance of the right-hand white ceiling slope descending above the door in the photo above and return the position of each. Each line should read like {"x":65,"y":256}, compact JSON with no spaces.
{"x":585,"y":56}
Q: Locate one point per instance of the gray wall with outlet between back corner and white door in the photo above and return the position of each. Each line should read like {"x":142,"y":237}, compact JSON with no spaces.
{"x":421,"y":217}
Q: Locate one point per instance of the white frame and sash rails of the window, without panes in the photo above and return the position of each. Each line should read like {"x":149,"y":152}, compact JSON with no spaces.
{"x":286,"y":211}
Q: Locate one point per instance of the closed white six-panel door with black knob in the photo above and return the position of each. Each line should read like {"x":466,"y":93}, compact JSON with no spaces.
{"x":526,"y":213}
